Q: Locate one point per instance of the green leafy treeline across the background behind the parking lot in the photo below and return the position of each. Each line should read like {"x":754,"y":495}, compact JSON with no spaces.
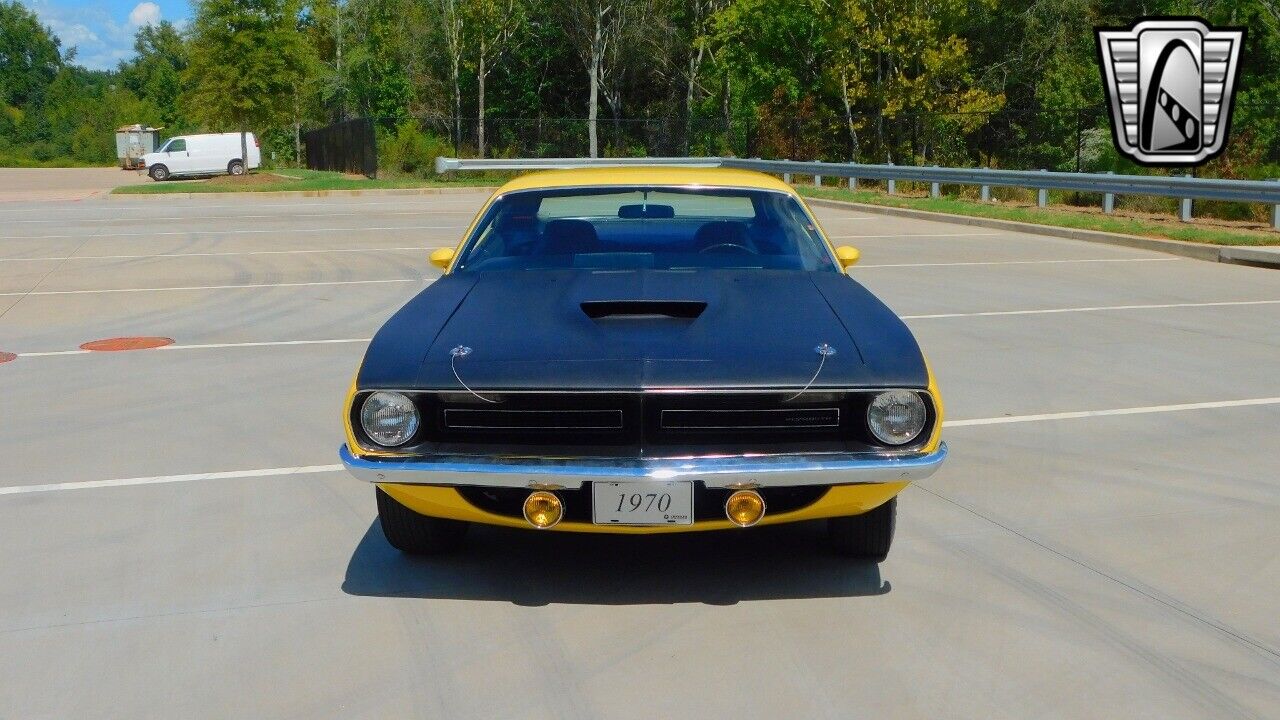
{"x":1003,"y":83}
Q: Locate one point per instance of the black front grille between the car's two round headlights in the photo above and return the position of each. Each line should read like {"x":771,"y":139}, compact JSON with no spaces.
{"x":655,"y":423}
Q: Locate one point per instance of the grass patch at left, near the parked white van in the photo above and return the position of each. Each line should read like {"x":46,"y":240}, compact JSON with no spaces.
{"x":296,"y":181}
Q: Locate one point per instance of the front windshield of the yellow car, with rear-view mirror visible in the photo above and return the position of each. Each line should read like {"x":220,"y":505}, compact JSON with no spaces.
{"x":646,"y":227}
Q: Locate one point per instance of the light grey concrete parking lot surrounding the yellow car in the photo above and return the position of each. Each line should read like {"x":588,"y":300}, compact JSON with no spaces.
{"x":179,"y":543}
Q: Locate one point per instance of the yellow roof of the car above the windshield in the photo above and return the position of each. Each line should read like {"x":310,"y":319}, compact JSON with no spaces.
{"x":646,"y":176}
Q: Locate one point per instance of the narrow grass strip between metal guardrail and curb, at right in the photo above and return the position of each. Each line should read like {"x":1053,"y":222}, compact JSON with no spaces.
{"x":1064,"y":217}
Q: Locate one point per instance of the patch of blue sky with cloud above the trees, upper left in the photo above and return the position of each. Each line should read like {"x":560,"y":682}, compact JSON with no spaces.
{"x":103,"y":30}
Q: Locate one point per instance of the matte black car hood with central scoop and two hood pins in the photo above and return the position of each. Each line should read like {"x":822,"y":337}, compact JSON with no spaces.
{"x":572,"y":330}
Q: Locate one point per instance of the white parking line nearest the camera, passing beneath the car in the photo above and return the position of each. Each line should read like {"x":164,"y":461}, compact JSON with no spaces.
{"x":316,"y":470}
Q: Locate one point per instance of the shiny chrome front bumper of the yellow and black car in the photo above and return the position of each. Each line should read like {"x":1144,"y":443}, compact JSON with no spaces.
{"x":570,"y":473}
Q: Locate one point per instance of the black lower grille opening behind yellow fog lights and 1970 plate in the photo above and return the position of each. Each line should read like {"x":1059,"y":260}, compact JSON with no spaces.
{"x":708,"y":503}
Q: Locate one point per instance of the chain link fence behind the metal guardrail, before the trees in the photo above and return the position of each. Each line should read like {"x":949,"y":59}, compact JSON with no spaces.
{"x":1069,"y":140}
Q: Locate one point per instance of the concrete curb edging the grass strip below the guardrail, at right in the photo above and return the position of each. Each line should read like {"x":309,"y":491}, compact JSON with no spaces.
{"x":1195,"y":250}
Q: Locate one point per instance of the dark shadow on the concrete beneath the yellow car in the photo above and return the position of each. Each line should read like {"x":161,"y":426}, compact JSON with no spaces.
{"x":533,"y":569}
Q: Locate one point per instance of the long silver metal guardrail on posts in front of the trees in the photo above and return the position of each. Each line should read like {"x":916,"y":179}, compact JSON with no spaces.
{"x":1186,"y":189}
